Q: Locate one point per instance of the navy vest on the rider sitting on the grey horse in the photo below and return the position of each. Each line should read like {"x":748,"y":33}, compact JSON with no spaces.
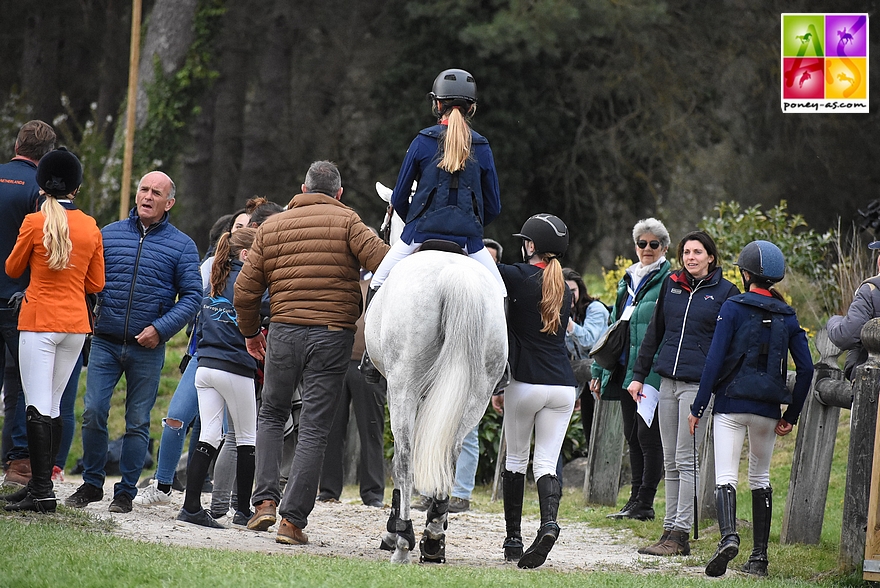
{"x":450,"y":204}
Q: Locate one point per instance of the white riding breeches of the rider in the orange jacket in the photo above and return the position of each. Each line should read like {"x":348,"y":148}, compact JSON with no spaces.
{"x":46,"y":361}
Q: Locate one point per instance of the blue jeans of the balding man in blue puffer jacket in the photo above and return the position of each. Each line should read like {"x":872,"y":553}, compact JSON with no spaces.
{"x":142,"y":368}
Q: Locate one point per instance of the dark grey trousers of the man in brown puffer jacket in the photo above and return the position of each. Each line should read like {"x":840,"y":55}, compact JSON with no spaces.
{"x":319,"y":356}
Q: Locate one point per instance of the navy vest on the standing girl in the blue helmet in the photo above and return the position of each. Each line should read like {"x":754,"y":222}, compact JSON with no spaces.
{"x":757,"y":360}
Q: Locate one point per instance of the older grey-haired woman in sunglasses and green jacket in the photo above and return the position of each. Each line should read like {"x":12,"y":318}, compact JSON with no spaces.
{"x":637,"y":295}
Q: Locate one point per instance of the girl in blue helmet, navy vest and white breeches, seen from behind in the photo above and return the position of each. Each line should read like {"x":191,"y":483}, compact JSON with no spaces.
{"x":746,"y":370}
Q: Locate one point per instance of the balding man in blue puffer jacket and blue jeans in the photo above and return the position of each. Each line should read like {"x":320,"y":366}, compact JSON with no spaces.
{"x":153,"y":289}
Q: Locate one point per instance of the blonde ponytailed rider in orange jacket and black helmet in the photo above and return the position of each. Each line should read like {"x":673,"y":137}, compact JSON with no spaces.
{"x":63,"y":248}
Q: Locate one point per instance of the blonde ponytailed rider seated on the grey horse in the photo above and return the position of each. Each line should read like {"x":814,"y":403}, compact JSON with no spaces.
{"x":457,"y":191}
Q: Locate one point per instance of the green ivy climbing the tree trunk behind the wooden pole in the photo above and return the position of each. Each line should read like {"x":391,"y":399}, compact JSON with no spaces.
{"x":174,"y":98}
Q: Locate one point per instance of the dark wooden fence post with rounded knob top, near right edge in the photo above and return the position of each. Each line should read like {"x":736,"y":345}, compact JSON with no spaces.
{"x":861,"y":451}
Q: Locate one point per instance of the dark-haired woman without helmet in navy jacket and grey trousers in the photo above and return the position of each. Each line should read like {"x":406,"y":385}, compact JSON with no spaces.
{"x":675,"y":345}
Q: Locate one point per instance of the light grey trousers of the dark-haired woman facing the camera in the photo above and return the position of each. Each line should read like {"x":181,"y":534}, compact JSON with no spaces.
{"x":676,"y":398}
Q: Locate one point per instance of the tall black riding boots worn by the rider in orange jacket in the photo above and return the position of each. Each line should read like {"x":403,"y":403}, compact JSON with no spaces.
{"x":40,"y":496}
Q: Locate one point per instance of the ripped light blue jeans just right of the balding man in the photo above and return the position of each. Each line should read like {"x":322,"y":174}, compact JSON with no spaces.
{"x":184,"y":407}
